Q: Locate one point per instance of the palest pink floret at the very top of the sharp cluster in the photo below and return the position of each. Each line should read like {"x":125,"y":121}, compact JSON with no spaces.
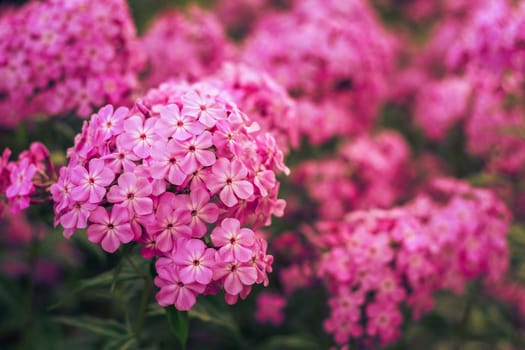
{"x":205,"y":108}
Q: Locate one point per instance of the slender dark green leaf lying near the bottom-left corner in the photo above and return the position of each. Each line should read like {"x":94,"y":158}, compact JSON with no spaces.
{"x":107,"y":328}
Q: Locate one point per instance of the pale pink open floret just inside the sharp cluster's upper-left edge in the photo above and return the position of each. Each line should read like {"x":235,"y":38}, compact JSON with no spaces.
{"x":139,"y":135}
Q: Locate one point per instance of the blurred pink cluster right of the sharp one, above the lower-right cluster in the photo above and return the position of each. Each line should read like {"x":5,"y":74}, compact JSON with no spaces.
{"x":350,"y":180}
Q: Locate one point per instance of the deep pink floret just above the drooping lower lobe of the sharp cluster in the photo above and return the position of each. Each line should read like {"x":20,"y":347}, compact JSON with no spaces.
{"x":202,"y":211}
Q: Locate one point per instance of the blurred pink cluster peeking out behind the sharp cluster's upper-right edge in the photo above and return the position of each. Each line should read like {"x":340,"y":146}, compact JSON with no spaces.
{"x":263,"y":99}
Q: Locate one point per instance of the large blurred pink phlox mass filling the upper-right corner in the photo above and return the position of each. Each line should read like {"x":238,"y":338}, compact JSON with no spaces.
{"x":472,"y":68}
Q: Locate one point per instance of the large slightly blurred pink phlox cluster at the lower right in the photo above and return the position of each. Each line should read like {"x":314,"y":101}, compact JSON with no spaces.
{"x":376,"y":260}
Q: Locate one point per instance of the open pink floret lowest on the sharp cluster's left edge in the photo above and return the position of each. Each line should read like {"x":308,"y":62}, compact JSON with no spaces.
{"x":110,"y":230}
